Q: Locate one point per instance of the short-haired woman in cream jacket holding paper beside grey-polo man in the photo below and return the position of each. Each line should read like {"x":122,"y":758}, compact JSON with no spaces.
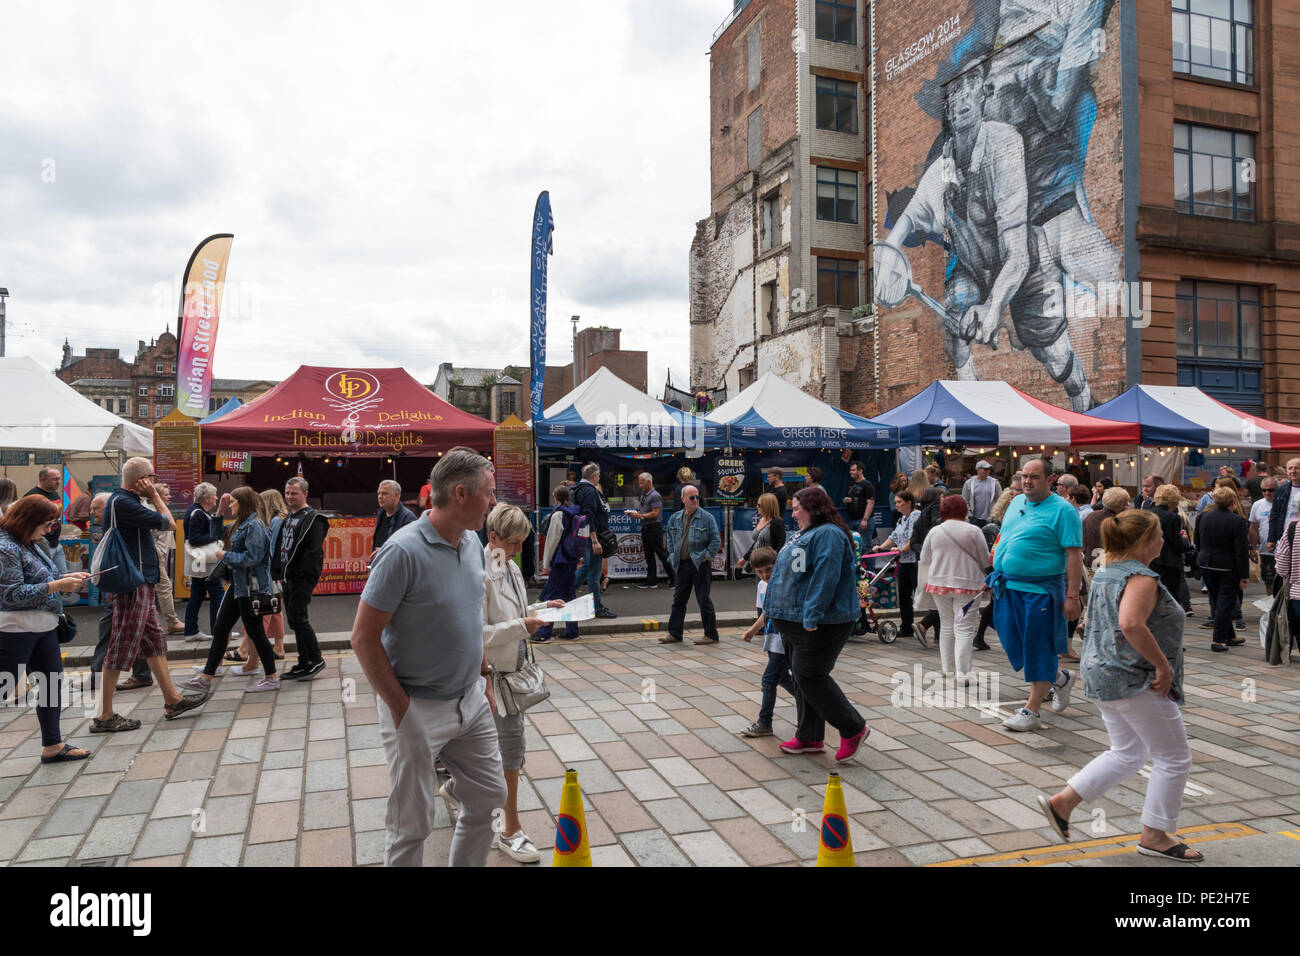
{"x":509,"y":621}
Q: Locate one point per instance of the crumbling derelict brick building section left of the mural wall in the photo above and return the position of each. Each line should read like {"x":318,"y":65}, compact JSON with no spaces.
{"x":778,"y":270}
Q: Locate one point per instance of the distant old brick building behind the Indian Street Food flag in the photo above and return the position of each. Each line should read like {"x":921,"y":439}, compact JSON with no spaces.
{"x":142,"y":391}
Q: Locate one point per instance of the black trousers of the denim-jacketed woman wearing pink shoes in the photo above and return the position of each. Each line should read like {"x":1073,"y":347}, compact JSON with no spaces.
{"x":818,"y":699}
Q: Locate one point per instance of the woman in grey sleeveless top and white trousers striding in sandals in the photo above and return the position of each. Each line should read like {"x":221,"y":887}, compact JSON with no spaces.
{"x":1133,"y":668}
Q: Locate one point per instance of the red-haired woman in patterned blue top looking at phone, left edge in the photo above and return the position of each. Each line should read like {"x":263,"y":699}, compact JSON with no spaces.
{"x":29,"y":615}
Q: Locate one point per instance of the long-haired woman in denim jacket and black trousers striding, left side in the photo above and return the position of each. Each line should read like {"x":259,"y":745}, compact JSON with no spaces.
{"x":249,"y":561}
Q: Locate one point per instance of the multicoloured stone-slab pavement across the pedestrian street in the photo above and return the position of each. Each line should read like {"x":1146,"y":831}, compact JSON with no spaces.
{"x":298,"y":777}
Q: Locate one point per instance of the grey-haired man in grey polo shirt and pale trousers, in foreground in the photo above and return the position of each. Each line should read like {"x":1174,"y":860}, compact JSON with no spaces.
{"x":419,"y":639}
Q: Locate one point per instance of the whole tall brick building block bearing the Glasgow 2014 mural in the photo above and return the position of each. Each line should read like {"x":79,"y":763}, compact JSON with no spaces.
{"x":1119,"y":181}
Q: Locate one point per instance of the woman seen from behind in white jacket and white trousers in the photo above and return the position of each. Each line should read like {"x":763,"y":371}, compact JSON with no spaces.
{"x":954,"y":563}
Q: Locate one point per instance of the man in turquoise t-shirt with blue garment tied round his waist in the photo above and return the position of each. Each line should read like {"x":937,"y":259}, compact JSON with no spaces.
{"x":1038,"y":568}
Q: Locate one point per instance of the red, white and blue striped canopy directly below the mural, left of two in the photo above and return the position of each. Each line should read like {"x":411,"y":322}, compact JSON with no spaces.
{"x":993,"y":413}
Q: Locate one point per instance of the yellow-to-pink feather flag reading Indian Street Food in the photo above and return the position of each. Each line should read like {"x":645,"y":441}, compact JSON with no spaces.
{"x":202,"y":288}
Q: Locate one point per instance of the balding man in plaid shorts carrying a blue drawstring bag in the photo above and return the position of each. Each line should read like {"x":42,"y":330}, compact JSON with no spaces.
{"x":136,"y":630}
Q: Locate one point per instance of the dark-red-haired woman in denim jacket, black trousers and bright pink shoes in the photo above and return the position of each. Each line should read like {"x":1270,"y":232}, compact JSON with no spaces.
{"x":813,"y":602}
